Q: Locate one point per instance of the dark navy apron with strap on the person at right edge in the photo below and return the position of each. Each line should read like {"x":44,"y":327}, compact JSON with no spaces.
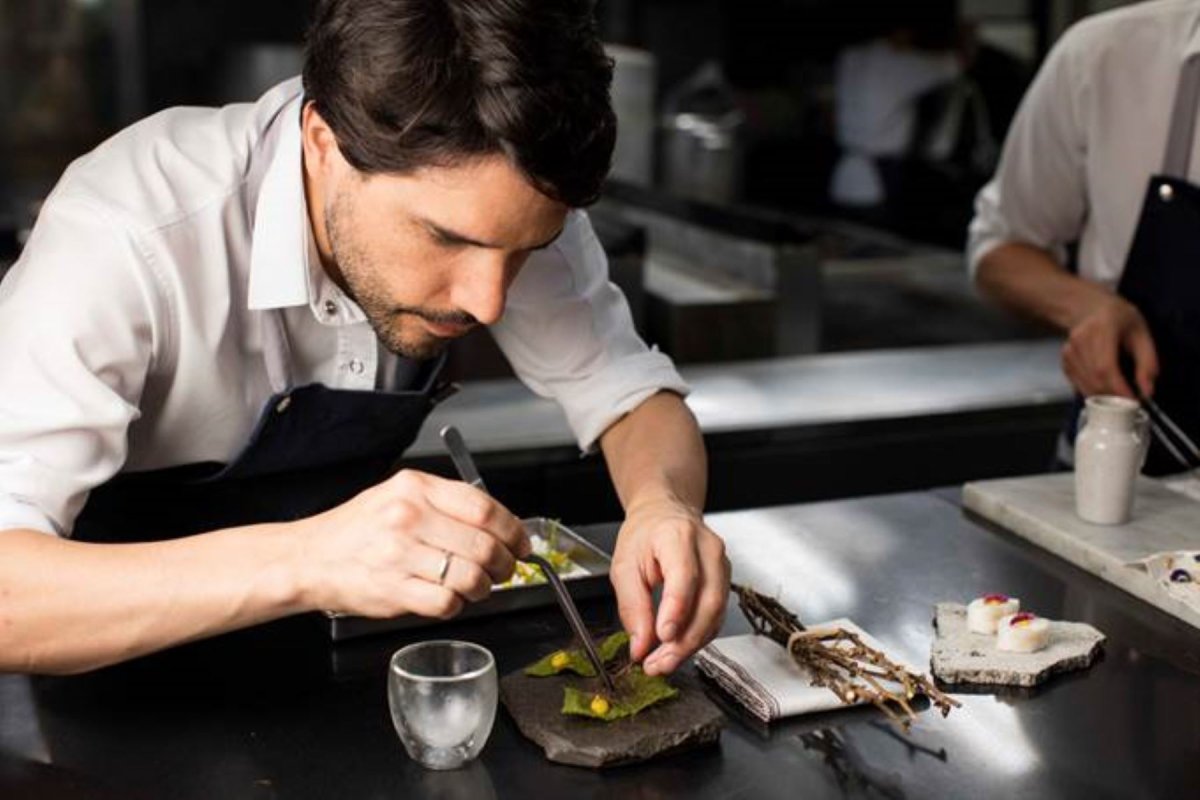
{"x":1162,"y":275}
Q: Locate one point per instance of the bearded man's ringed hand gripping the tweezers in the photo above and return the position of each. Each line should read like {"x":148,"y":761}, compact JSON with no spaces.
{"x":382,"y":554}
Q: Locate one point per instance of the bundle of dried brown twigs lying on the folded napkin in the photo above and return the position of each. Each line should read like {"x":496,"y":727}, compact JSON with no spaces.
{"x":842,"y":663}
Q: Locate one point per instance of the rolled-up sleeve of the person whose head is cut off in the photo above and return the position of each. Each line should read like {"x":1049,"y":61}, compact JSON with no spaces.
{"x":1039,"y":196}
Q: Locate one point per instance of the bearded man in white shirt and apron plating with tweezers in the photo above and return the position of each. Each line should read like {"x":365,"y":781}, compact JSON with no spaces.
{"x":229,"y":326}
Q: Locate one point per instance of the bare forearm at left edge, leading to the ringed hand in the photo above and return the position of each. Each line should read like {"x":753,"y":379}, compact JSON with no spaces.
{"x":70,"y":606}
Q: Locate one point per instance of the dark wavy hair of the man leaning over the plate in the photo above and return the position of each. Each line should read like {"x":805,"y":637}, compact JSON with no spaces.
{"x":406,"y":85}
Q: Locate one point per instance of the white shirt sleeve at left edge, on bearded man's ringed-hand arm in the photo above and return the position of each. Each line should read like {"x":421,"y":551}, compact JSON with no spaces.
{"x":77,"y":330}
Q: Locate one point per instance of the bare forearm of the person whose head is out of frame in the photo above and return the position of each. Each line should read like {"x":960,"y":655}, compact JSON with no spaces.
{"x":1028,"y":281}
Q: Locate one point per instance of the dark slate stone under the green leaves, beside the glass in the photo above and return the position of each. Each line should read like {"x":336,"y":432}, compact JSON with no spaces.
{"x":685,"y":723}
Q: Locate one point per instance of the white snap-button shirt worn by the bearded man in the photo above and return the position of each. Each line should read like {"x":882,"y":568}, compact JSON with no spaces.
{"x":131,"y":327}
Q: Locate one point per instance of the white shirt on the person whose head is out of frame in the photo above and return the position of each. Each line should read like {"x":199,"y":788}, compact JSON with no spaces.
{"x":1090,"y":134}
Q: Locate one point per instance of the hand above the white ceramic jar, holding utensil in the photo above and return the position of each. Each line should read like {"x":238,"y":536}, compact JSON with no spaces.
{"x":1093,"y":353}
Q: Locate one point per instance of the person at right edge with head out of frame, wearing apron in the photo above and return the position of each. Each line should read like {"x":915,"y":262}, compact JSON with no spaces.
{"x":1103,"y":155}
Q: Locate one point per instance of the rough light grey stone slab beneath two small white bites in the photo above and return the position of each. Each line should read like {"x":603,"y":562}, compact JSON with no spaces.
{"x":961,"y":657}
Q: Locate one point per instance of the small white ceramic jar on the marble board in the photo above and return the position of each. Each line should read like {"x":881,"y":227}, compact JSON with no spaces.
{"x":1111,"y":449}
